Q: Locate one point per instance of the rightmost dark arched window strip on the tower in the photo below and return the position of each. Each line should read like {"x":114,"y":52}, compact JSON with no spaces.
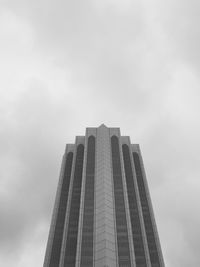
{"x":153,"y":251}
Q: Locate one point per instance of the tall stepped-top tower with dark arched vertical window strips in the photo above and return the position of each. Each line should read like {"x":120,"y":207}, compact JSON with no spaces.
{"x":103,"y":215}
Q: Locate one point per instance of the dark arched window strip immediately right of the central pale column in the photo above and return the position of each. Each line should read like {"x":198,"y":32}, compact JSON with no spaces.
{"x":120,"y":212}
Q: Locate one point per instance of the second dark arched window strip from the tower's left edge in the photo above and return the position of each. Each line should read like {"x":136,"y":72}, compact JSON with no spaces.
{"x":72,"y":231}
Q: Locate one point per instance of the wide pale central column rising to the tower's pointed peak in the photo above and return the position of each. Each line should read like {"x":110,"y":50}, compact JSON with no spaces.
{"x":105,"y":244}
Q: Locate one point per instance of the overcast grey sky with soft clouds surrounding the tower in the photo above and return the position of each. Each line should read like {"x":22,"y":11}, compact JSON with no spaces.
{"x":67,"y":65}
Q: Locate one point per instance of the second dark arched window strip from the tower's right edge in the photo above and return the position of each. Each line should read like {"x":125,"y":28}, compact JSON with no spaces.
{"x":134,"y":210}
